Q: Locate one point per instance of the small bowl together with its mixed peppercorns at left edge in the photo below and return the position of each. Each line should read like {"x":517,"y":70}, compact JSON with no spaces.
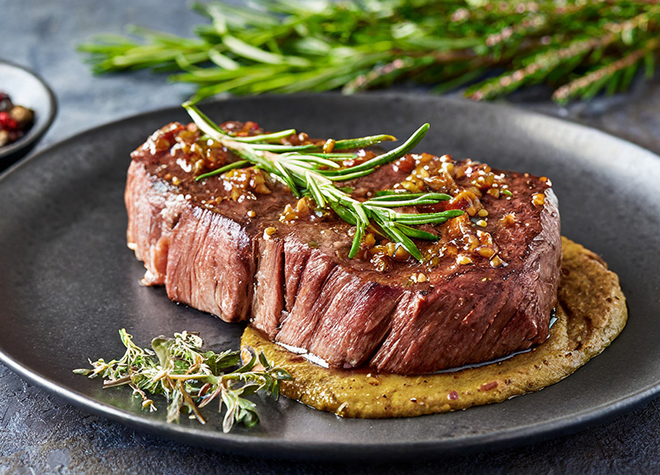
{"x":27,"y":109}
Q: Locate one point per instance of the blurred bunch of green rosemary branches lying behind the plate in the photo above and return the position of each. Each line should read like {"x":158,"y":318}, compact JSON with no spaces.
{"x":286,"y":46}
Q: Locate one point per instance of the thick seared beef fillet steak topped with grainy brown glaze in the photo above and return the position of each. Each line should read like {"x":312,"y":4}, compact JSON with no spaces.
{"x":230,"y":245}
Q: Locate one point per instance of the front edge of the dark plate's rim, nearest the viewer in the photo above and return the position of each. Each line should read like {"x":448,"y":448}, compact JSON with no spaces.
{"x":243,"y":444}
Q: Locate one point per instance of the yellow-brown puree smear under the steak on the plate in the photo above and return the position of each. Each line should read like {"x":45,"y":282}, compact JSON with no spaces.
{"x":591,"y":312}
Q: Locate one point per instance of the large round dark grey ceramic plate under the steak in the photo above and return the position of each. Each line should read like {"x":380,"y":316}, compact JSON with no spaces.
{"x":68,"y":282}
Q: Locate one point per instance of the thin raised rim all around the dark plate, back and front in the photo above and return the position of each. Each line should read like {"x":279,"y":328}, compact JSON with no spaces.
{"x":402,"y":450}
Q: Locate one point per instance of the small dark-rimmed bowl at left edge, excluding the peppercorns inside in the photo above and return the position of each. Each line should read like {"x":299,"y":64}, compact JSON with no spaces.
{"x":26,"y":89}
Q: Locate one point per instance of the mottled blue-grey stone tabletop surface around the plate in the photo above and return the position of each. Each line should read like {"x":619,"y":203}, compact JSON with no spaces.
{"x":41,"y":434}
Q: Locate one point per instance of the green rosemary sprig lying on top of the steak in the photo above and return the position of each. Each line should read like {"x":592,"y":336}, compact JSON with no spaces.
{"x":312,"y":170}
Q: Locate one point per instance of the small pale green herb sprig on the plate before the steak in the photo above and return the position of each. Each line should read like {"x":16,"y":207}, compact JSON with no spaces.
{"x":189,"y":378}
